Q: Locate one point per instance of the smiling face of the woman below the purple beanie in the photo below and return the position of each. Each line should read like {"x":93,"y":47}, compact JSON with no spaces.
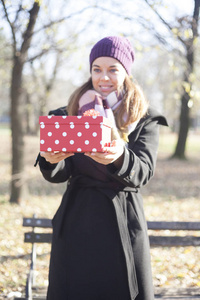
{"x":107,"y":75}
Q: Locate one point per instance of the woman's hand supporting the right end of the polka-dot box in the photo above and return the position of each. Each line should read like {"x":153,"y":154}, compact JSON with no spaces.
{"x":113,"y":154}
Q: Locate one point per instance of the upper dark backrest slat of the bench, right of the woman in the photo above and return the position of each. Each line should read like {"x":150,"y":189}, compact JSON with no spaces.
{"x":164,"y":225}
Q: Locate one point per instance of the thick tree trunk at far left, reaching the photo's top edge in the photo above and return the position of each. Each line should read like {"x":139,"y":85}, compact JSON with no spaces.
{"x":17,"y":108}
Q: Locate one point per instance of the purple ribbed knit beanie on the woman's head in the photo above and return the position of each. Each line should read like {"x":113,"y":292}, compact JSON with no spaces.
{"x":114,"y":46}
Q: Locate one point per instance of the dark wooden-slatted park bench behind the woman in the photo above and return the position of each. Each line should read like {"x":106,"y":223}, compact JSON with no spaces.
{"x":35,"y":237}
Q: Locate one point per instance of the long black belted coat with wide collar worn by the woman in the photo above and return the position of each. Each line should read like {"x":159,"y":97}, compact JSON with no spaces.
{"x":100,"y":247}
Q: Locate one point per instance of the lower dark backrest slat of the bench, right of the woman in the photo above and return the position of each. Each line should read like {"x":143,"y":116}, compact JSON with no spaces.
{"x":174,"y":241}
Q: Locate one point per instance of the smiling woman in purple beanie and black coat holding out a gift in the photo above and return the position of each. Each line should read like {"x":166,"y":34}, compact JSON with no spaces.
{"x":100,"y":247}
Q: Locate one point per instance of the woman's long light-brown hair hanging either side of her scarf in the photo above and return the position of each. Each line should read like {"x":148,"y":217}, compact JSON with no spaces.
{"x":133,"y":104}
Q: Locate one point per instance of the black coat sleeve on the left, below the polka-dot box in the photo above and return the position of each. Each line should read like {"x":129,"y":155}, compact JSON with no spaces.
{"x":55,"y":173}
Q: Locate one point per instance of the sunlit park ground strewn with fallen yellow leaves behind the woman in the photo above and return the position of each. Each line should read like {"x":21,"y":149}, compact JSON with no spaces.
{"x":173,"y":194}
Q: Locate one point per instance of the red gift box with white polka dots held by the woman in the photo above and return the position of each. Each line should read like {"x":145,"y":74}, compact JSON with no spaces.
{"x":74,"y":133}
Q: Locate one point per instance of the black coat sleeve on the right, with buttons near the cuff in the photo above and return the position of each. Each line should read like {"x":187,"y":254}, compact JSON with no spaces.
{"x":139,"y":157}
